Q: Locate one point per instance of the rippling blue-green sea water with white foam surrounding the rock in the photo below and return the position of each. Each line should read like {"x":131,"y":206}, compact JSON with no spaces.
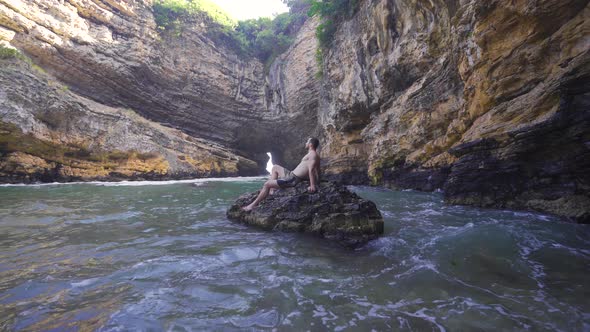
{"x":162,"y":256}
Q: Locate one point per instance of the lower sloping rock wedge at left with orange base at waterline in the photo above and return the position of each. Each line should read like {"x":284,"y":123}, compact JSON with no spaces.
{"x":48,"y":133}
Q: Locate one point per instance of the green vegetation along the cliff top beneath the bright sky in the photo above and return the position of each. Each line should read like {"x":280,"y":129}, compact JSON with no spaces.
{"x":264,"y":38}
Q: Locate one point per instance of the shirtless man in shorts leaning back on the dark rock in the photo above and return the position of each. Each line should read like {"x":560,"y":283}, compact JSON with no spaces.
{"x":308,"y":169}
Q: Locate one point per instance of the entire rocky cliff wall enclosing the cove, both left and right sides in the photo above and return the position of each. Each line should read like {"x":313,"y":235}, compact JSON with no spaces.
{"x":488,"y":100}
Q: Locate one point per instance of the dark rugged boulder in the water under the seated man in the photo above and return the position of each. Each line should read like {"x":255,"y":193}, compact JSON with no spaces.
{"x":333,"y":212}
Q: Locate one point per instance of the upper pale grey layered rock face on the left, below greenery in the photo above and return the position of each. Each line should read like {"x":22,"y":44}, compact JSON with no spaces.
{"x":112,"y":53}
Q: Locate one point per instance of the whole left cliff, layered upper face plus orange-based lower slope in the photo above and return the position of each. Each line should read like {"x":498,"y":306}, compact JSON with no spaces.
{"x":98,"y":75}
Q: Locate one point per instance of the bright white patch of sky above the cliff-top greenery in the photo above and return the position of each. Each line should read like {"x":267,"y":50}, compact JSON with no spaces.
{"x":243,"y":10}
